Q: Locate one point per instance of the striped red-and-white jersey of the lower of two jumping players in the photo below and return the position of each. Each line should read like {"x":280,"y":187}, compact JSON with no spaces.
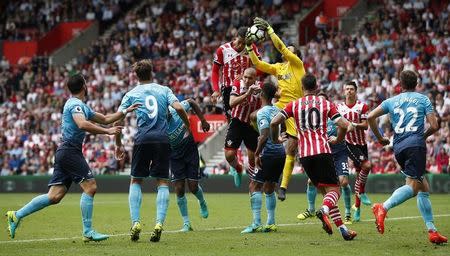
{"x":253,"y":102}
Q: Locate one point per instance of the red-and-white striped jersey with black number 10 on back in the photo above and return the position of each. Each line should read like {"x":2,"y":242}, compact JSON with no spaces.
{"x":311,"y":114}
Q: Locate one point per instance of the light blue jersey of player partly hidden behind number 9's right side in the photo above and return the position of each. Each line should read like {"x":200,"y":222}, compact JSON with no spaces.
{"x":177,"y":132}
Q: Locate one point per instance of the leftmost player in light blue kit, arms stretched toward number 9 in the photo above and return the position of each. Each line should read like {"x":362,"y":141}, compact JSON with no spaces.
{"x":70,"y":165}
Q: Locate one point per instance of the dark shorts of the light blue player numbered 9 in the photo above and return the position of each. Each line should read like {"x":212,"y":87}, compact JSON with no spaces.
{"x":150,"y":160}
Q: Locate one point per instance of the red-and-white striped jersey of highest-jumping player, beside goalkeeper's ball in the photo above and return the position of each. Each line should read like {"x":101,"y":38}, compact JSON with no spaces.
{"x":233,"y":63}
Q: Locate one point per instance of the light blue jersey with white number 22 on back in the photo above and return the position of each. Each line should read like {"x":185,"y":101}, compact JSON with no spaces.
{"x":407,"y":112}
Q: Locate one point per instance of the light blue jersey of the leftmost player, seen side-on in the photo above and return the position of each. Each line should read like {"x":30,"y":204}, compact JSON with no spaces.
{"x":71,"y":134}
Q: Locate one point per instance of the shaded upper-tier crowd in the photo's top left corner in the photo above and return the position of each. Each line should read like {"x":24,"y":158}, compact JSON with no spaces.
{"x":26,"y":20}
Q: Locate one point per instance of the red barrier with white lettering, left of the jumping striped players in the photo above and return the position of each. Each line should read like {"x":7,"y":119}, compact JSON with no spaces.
{"x":216,"y":121}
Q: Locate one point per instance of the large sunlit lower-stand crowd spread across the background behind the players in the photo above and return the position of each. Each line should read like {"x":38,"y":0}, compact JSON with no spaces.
{"x":32,"y":96}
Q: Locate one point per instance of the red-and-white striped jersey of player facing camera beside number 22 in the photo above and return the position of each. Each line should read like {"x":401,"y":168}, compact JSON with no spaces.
{"x":355,"y":114}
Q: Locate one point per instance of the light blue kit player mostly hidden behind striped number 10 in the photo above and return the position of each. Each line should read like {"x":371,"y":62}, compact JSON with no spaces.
{"x":340,"y":157}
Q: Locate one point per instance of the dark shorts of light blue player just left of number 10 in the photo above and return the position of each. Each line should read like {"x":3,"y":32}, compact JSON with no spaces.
{"x":272,"y":168}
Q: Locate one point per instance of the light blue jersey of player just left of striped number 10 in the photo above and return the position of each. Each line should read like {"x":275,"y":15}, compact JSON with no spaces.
{"x":264,"y":117}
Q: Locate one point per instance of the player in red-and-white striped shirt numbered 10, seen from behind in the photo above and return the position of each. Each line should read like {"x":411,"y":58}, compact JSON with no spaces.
{"x":310,"y":114}
